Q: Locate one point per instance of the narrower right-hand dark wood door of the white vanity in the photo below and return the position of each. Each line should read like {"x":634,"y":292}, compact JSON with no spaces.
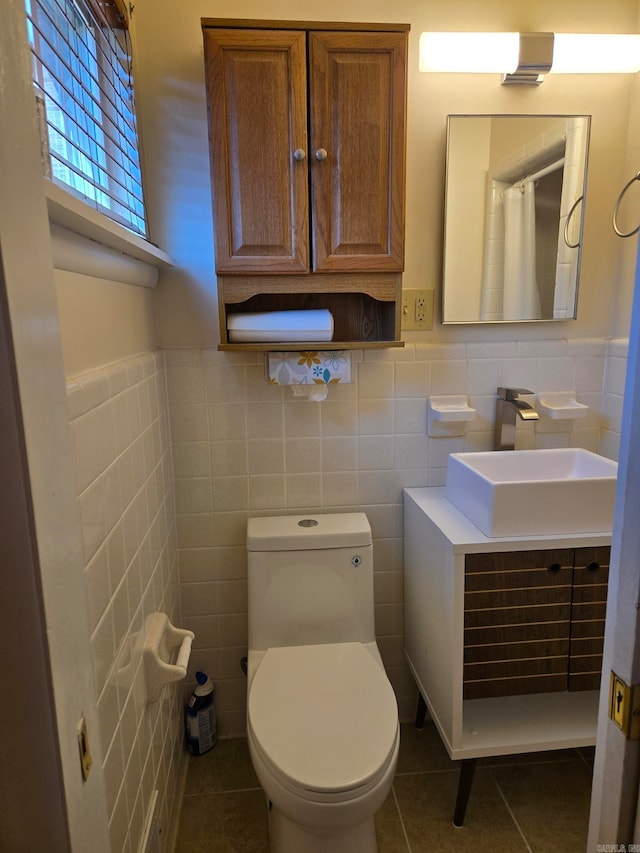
{"x":588,"y":610}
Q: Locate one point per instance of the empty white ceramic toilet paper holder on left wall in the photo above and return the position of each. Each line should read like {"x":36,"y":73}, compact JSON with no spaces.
{"x":160,"y":643}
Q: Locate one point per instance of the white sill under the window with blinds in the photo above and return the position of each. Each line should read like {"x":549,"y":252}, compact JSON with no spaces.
{"x":78,"y":217}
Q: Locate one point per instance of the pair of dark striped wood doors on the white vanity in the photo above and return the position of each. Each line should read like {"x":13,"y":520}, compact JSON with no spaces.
{"x":534,"y":621}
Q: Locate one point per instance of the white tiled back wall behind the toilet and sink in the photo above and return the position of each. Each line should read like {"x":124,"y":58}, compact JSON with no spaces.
{"x":243,"y":447}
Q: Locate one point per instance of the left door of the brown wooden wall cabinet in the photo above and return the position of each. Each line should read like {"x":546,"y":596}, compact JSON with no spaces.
{"x":256,"y":93}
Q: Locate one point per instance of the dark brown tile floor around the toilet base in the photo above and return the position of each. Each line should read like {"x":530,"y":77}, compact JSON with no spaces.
{"x":521,"y":804}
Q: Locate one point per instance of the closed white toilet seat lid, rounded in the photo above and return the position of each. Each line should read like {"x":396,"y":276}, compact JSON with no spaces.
{"x":324,"y":718}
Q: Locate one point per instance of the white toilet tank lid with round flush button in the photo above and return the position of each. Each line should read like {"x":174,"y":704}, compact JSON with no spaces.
{"x":308,"y":532}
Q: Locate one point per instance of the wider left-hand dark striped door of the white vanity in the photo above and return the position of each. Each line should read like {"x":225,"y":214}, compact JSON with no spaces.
{"x":517,"y":622}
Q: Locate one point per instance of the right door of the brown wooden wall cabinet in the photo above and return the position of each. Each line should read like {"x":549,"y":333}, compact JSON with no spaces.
{"x":357,"y":92}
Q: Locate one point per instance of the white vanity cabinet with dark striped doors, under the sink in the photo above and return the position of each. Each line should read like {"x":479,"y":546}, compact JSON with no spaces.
{"x":503,"y":635}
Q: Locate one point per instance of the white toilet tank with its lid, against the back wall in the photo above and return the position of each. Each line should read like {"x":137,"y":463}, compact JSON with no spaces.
{"x":310,"y":580}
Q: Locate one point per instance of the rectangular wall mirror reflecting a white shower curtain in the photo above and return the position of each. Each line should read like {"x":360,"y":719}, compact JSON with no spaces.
{"x":514,"y":211}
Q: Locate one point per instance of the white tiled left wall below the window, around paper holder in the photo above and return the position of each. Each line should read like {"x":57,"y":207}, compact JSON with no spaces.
{"x":119,"y":420}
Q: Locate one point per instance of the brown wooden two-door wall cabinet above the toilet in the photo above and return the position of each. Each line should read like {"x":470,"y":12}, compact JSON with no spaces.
{"x":307,"y":138}
